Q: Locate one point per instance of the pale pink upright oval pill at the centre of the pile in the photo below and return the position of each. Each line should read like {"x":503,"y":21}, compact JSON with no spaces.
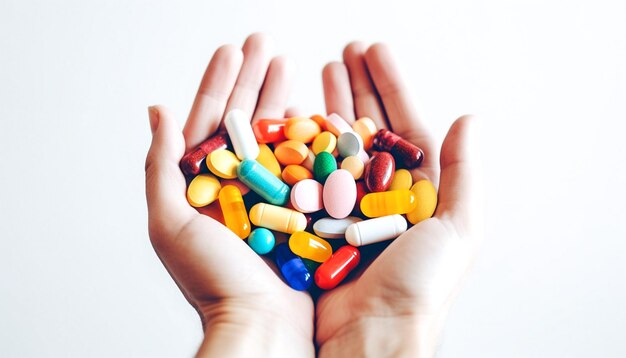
{"x":339,"y":194}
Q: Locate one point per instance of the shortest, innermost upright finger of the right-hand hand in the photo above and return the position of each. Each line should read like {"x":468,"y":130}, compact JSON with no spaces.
{"x":337,"y":93}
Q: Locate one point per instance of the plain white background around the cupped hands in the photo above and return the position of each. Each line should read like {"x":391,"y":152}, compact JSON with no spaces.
{"x":78,"y":276}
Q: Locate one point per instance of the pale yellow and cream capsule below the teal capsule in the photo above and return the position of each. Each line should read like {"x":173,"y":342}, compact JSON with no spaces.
{"x":277,"y":218}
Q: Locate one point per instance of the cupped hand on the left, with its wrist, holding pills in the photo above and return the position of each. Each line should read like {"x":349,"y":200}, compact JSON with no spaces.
{"x":245,"y":307}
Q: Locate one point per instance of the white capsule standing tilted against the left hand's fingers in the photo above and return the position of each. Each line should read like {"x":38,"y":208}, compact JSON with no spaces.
{"x":241,"y":135}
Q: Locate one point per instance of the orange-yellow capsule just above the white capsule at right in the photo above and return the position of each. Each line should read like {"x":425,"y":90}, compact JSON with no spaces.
{"x":385,"y":203}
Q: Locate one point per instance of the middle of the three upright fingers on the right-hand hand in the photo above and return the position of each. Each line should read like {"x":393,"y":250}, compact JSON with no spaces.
{"x":366,"y":101}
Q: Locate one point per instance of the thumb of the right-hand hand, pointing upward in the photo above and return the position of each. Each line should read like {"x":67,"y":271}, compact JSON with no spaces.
{"x":460,"y":189}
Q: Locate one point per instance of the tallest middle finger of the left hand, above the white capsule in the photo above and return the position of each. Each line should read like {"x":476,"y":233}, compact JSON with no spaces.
{"x":256,"y":60}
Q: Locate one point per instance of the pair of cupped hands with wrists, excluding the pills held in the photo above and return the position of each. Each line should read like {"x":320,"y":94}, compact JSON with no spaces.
{"x":397,"y":302}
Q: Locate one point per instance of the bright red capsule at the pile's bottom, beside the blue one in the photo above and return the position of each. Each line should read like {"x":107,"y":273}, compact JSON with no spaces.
{"x":337,"y":267}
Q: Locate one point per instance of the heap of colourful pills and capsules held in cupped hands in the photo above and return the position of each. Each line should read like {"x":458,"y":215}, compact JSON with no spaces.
{"x":318,"y":180}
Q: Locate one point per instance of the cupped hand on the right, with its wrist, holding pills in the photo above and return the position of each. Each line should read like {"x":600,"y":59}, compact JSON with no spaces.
{"x":399,"y":303}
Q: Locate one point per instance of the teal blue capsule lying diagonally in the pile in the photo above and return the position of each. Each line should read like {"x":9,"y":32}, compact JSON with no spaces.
{"x":263,"y":182}
